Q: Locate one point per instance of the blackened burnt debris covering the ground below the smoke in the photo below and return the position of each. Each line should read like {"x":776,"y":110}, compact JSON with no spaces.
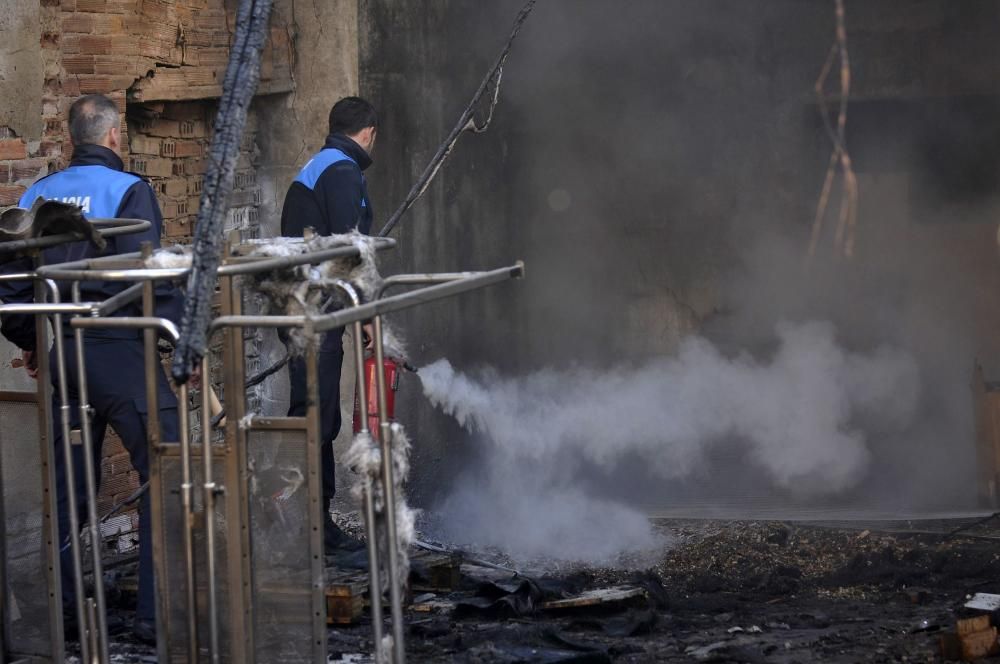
{"x":722,"y":592}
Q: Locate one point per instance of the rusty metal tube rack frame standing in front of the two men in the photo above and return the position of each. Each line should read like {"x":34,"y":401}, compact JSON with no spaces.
{"x":179,"y":643}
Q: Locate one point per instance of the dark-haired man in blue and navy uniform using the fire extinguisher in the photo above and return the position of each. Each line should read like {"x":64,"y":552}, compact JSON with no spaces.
{"x":330,"y":196}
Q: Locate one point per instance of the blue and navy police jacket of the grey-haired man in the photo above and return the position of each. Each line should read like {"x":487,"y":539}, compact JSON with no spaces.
{"x":95,"y":180}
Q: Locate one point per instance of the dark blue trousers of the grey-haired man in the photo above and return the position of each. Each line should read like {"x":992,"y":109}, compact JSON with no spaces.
{"x":116,"y":390}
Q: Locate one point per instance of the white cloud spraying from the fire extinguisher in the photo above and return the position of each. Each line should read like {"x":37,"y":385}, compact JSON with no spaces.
{"x":801,"y":415}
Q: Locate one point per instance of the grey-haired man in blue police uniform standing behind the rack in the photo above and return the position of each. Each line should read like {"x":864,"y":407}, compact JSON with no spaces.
{"x":95,"y":180}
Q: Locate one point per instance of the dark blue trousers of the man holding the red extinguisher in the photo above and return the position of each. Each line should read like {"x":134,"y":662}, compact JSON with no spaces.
{"x":330,"y":360}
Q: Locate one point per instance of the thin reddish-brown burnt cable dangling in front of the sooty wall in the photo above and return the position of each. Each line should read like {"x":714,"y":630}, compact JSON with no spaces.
{"x":844,"y":235}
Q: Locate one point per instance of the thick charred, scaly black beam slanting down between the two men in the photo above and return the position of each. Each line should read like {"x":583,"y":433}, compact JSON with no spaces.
{"x":238,"y":87}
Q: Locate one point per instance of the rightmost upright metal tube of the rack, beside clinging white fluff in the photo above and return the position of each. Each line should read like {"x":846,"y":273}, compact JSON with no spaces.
{"x":389,"y":495}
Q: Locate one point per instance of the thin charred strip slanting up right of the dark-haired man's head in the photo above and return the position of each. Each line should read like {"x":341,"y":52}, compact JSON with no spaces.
{"x":488,"y":89}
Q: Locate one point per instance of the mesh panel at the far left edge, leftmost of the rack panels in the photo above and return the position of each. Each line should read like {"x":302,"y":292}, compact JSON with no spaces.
{"x":28,"y":596}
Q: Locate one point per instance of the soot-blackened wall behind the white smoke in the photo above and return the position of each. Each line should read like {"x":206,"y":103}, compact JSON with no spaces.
{"x":658,"y":163}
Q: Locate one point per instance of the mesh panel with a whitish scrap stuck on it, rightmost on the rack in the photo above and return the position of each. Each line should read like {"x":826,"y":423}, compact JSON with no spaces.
{"x":279,"y":523}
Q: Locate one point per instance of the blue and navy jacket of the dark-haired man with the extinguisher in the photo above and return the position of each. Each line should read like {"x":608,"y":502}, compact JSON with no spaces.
{"x":329,"y":194}
